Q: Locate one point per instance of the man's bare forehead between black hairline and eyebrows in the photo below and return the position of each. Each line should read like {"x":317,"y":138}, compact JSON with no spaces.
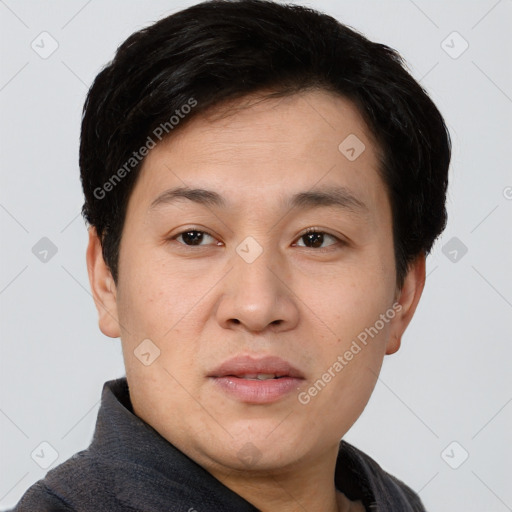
{"x":261,"y":148}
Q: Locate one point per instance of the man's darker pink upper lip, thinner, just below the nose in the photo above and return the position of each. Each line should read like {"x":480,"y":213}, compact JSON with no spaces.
{"x":244,"y":365}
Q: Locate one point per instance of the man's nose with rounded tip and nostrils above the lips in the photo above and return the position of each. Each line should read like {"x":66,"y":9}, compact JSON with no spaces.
{"x":258,"y":295}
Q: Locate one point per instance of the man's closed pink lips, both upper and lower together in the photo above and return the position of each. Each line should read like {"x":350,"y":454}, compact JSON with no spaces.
{"x":228,"y":377}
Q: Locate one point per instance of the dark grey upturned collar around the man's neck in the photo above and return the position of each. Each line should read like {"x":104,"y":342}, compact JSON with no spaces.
{"x":128,"y":440}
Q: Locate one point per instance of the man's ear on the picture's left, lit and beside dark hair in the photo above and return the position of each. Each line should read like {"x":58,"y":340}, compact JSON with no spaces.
{"x":103,"y":287}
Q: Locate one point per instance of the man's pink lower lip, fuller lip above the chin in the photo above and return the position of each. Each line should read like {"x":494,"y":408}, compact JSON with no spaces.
{"x":258,"y":391}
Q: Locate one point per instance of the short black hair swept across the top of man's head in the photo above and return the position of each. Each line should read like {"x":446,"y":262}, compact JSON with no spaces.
{"x":223,"y":50}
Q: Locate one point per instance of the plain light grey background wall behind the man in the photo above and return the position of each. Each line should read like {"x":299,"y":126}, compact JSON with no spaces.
{"x":451,"y":379}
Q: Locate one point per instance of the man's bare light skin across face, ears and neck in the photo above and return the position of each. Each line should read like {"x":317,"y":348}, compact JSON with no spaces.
{"x":202,"y":305}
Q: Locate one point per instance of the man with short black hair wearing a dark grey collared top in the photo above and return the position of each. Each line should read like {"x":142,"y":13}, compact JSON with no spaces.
{"x":262,"y":185}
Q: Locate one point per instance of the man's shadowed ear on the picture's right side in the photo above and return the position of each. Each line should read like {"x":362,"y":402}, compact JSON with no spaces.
{"x":407,"y":299}
